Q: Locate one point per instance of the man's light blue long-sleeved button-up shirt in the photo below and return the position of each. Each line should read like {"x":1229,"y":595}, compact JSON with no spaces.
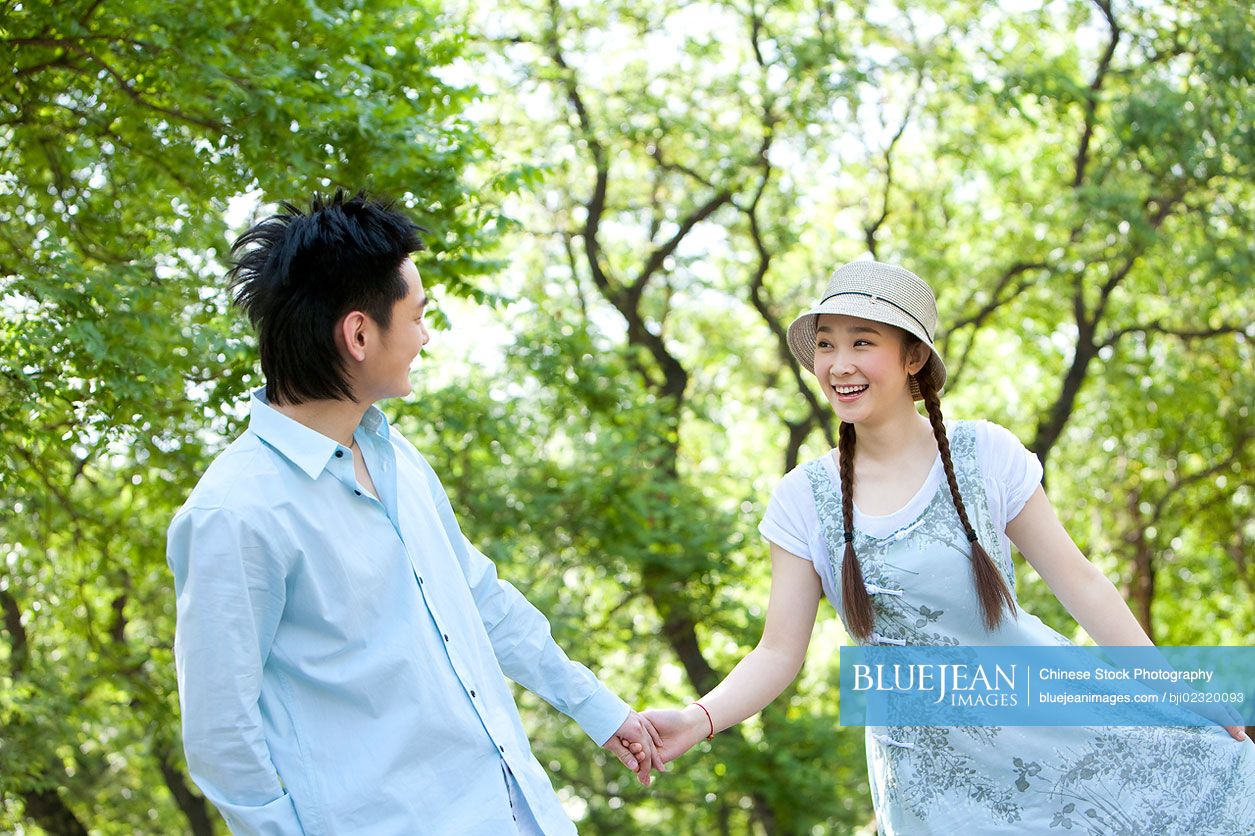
{"x":341,"y":657}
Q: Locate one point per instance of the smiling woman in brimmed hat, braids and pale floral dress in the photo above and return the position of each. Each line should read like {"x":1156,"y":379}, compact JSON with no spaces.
{"x":908,"y":530}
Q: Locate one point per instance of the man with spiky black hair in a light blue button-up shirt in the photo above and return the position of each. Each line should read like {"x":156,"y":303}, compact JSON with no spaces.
{"x":341,"y":646}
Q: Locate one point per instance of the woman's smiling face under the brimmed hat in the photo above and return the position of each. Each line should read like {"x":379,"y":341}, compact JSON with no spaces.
{"x":862,"y":366}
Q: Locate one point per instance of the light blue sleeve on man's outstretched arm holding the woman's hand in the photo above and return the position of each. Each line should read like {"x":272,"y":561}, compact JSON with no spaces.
{"x":524,"y":643}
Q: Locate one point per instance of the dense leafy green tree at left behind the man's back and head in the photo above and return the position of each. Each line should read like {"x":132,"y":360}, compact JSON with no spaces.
{"x":129,"y":131}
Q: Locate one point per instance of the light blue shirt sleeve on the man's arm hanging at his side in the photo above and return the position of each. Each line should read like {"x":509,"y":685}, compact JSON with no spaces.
{"x":230,"y":596}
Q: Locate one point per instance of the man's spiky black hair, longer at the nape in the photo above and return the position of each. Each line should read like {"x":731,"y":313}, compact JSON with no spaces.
{"x":298,"y":273}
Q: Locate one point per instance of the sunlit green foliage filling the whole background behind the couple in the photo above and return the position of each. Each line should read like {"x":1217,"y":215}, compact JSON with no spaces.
{"x":1075,"y":181}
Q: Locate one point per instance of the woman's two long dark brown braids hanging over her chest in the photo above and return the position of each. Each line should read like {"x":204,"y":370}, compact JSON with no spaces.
{"x":991,"y":586}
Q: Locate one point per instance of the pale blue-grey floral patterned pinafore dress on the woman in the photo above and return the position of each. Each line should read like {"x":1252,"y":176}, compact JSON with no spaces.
{"x":1016,"y":780}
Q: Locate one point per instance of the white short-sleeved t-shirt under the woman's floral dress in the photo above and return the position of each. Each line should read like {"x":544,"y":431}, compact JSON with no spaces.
{"x":1011,"y":475}
